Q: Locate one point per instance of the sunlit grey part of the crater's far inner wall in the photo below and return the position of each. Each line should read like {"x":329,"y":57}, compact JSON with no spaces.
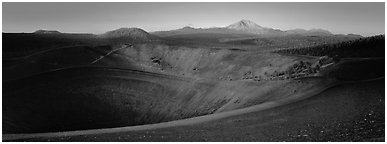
{"x":201,"y":62}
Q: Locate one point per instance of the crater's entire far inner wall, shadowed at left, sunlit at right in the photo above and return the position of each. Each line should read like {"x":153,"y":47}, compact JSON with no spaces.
{"x":181,"y":61}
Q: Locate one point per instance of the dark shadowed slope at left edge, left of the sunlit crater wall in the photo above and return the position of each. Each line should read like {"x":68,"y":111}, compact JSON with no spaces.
{"x":53,"y":59}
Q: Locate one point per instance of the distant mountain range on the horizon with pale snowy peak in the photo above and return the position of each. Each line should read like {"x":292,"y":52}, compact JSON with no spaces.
{"x":241,"y":30}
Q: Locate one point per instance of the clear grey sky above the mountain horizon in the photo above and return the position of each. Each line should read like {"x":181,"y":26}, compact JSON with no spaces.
{"x":366,"y":19}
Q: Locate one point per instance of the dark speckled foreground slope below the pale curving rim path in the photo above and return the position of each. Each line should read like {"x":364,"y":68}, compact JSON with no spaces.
{"x":349,"y":112}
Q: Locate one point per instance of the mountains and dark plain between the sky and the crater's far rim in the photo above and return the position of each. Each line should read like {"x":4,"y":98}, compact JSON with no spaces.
{"x":244,"y":33}
